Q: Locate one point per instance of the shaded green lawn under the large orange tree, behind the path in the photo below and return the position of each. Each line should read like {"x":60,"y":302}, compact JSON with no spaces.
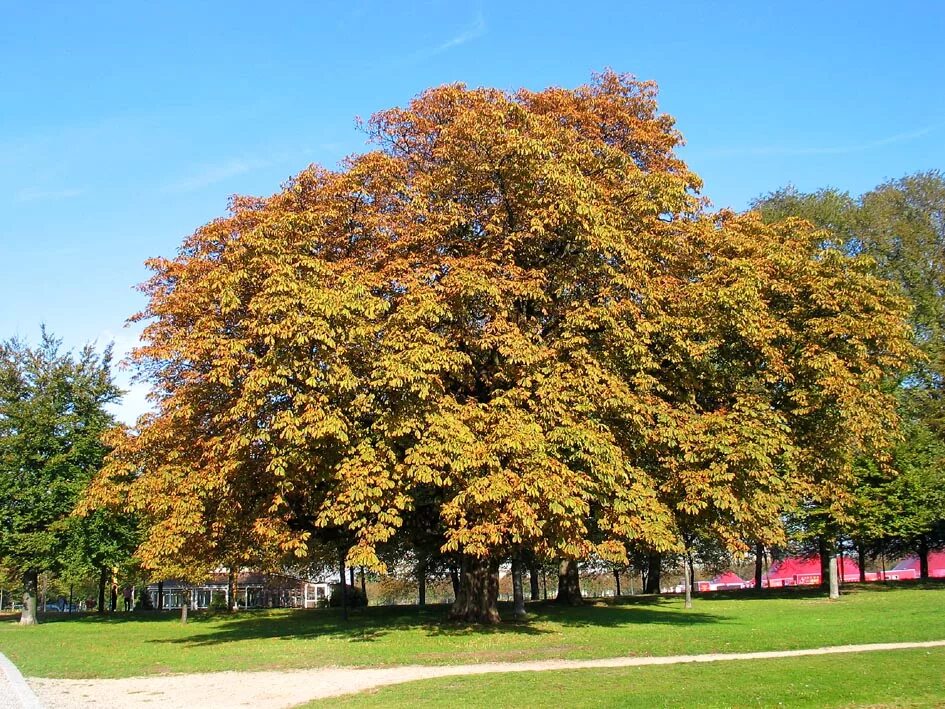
{"x":151,"y":643}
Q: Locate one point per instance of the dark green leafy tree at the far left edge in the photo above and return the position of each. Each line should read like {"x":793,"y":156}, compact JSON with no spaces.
{"x":52,"y":417}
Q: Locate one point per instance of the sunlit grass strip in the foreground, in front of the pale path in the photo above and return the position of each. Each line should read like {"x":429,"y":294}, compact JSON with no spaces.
{"x":911,"y":678}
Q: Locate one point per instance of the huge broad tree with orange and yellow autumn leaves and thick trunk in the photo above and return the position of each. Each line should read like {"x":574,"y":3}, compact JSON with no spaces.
{"x":515,"y":311}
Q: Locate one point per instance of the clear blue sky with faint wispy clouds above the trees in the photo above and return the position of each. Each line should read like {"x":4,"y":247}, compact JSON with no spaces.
{"x":126,"y":125}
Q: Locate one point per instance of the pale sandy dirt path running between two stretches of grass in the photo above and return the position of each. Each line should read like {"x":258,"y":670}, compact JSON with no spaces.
{"x":277,"y":690}
